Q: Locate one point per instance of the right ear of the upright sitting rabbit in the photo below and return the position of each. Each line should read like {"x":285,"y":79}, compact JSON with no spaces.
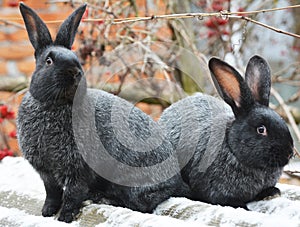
{"x":67,"y":31}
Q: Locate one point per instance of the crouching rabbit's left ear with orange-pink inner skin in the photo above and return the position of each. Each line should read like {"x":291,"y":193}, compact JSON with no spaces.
{"x":231,"y":86}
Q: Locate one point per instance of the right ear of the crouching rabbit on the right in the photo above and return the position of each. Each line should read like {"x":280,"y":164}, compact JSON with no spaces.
{"x":258,"y":78}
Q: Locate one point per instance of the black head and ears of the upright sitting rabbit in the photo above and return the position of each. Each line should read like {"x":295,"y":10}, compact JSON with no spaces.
{"x":58,"y":70}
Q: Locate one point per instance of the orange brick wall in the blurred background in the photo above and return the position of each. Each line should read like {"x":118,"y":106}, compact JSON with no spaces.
{"x":16,"y":52}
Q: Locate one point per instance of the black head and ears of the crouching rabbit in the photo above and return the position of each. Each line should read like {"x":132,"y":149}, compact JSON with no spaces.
{"x":258,"y":137}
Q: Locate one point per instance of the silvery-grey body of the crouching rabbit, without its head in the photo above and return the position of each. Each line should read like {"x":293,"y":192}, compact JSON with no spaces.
{"x":212,"y":172}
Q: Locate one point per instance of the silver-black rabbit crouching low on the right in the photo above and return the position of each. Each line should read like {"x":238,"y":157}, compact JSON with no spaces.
{"x":230,"y":156}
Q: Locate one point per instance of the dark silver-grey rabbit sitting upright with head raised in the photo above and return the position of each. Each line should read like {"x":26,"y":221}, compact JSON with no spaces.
{"x":69,"y":157}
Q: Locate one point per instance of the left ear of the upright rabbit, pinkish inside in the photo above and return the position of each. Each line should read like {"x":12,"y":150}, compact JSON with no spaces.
{"x":38,"y":32}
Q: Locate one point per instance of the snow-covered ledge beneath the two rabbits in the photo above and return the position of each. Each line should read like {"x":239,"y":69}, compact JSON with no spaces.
{"x":22,"y":195}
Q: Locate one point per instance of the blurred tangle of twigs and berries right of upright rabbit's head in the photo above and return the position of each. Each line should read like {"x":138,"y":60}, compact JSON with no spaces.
{"x":132,"y":59}
